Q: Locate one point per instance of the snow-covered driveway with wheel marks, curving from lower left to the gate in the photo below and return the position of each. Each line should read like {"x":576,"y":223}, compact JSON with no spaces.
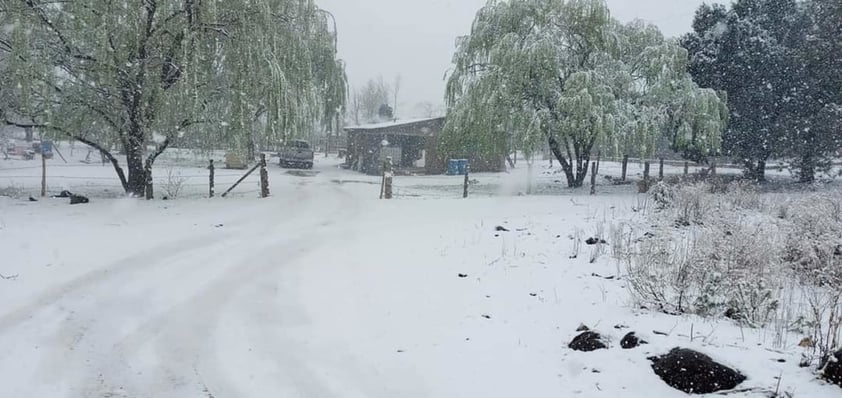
{"x":153,"y":321}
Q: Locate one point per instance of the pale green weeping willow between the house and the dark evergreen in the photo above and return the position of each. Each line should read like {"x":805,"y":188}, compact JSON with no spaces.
{"x":567,"y":73}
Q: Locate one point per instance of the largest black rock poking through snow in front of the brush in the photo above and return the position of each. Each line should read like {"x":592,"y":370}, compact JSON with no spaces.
{"x":694,"y":372}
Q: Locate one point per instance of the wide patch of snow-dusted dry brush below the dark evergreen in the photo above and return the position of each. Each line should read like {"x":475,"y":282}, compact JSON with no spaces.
{"x":729,"y":250}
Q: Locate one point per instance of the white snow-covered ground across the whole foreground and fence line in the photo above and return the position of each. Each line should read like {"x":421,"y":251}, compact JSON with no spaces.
{"x":322,"y":290}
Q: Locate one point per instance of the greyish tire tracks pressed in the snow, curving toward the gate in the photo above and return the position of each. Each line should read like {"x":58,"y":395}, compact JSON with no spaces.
{"x":192,"y":319}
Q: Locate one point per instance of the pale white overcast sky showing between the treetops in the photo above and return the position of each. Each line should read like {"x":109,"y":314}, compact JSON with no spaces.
{"x":415,"y":38}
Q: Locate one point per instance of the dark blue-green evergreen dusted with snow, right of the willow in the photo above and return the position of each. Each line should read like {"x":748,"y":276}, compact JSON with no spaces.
{"x":775,"y":60}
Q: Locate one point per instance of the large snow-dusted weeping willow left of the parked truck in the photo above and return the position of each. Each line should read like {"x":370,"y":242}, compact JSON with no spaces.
{"x":143,"y":75}
